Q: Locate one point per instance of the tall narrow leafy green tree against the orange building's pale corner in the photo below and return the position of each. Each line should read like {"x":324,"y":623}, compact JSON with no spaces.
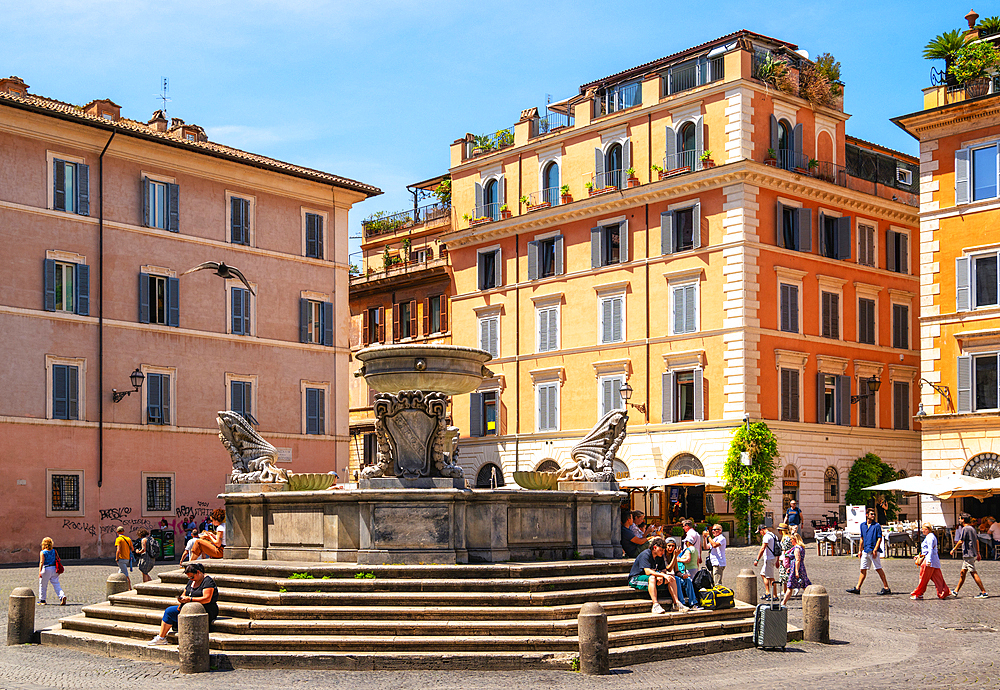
{"x":749,"y":486}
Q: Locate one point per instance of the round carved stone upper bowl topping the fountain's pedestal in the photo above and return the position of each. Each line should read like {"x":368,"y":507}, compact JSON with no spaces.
{"x":449,"y":369}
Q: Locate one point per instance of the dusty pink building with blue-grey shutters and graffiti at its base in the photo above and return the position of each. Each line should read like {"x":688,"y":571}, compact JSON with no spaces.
{"x":99,"y":217}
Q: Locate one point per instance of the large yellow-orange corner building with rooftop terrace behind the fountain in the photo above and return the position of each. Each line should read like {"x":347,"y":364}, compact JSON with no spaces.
{"x":712,"y":237}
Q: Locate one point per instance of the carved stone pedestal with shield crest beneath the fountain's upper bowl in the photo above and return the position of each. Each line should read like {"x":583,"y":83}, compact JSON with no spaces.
{"x":414,"y":439}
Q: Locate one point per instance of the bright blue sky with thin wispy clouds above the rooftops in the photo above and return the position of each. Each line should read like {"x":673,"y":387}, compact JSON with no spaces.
{"x":377,"y":90}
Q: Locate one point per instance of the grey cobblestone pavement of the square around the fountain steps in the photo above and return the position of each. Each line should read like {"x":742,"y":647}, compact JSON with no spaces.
{"x":879,"y":641}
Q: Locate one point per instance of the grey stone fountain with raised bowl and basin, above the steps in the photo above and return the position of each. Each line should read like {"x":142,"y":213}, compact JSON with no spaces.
{"x":414,"y":504}
